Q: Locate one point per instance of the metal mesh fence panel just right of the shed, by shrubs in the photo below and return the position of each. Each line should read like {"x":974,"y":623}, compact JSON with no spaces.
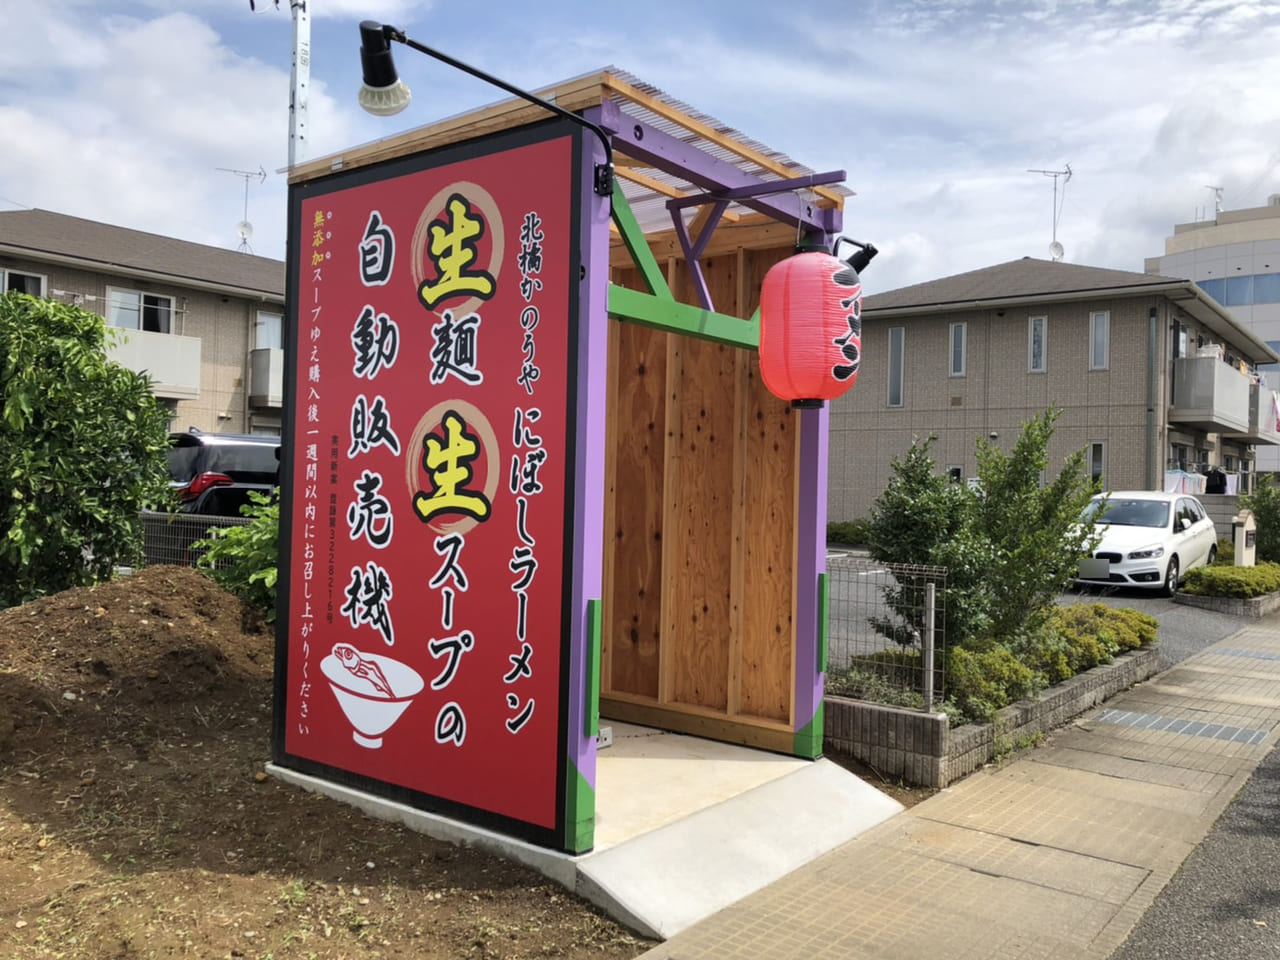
{"x":880,"y":643}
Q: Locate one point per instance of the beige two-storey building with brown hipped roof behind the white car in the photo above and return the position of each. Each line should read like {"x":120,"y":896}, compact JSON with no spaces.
{"x":1158,"y":382}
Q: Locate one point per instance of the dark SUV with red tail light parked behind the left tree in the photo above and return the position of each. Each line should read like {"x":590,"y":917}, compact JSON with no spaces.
{"x":214,"y":473}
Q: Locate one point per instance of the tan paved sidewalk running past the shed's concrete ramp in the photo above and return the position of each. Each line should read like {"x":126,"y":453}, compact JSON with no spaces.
{"x":1057,"y":854}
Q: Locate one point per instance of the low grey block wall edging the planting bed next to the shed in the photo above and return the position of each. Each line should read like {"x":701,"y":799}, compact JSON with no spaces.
{"x":921,"y":748}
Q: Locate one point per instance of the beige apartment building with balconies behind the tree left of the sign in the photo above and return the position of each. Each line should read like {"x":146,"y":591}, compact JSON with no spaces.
{"x":203,"y":322}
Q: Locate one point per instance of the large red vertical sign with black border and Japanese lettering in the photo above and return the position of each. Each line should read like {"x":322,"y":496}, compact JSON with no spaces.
{"x":423,"y":647}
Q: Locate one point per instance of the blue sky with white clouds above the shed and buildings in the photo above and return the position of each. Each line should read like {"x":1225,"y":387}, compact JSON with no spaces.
{"x":124,"y":112}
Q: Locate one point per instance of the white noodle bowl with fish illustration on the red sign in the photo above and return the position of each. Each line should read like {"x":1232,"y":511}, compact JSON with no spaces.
{"x":373,"y":691}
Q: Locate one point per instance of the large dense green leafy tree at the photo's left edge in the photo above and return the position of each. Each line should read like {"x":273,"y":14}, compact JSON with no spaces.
{"x":81,"y":451}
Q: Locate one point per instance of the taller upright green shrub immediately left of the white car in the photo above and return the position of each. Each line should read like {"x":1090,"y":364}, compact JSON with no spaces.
{"x":1035,"y":531}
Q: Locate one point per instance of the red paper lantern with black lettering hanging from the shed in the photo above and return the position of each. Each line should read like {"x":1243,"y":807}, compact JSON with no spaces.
{"x":811,"y":328}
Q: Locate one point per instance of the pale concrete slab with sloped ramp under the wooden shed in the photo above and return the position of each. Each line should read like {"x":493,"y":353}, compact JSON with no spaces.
{"x":684,"y":826}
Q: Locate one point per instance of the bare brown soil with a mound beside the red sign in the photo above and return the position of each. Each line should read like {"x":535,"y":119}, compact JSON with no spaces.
{"x":136,"y":820}
